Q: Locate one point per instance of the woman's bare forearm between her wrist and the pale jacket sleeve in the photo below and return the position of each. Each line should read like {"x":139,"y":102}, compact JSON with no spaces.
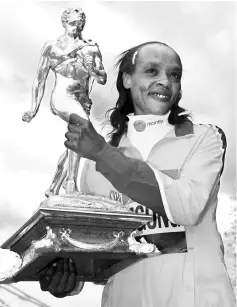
{"x":132,"y":177}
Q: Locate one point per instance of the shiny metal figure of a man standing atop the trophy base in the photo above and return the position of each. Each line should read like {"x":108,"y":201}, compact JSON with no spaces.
{"x":76,"y":63}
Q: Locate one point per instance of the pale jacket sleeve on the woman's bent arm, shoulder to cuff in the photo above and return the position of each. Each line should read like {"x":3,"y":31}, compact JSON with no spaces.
{"x":186,"y":197}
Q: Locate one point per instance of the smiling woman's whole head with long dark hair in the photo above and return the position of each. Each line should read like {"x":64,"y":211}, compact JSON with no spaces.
{"x":143,"y":77}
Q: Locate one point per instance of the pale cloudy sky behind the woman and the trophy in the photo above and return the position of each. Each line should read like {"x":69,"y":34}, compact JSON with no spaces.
{"x":202,"y":33}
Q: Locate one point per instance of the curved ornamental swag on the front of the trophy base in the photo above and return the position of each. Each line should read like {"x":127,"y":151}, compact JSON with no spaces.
{"x":65,"y":236}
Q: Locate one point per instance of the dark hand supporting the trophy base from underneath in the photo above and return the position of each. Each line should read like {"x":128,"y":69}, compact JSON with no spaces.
{"x":59,"y":278}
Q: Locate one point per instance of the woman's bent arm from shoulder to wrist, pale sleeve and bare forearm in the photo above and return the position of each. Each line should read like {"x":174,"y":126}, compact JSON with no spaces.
{"x":181,"y":200}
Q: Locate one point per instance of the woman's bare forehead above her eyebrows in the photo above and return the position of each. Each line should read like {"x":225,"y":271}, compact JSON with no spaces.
{"x":158,"y":53}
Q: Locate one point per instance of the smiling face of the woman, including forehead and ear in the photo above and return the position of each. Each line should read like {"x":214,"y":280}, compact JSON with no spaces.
{"x":156,"y":82}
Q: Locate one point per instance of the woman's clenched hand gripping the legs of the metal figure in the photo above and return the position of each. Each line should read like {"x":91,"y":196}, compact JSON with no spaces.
{"x":82,"y":138}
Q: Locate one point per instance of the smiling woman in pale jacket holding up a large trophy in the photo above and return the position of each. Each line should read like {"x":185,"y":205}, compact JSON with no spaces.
{"x":159,"y":159}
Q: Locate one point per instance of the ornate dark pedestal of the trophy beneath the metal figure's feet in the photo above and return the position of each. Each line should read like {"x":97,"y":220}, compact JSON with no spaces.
{"x":97,"y":233}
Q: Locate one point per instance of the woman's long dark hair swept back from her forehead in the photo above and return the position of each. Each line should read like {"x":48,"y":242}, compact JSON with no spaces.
{"x":118,"y":115}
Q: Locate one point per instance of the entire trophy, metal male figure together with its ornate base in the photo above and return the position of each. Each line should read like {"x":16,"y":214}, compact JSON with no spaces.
{"x":98,"y":233}
